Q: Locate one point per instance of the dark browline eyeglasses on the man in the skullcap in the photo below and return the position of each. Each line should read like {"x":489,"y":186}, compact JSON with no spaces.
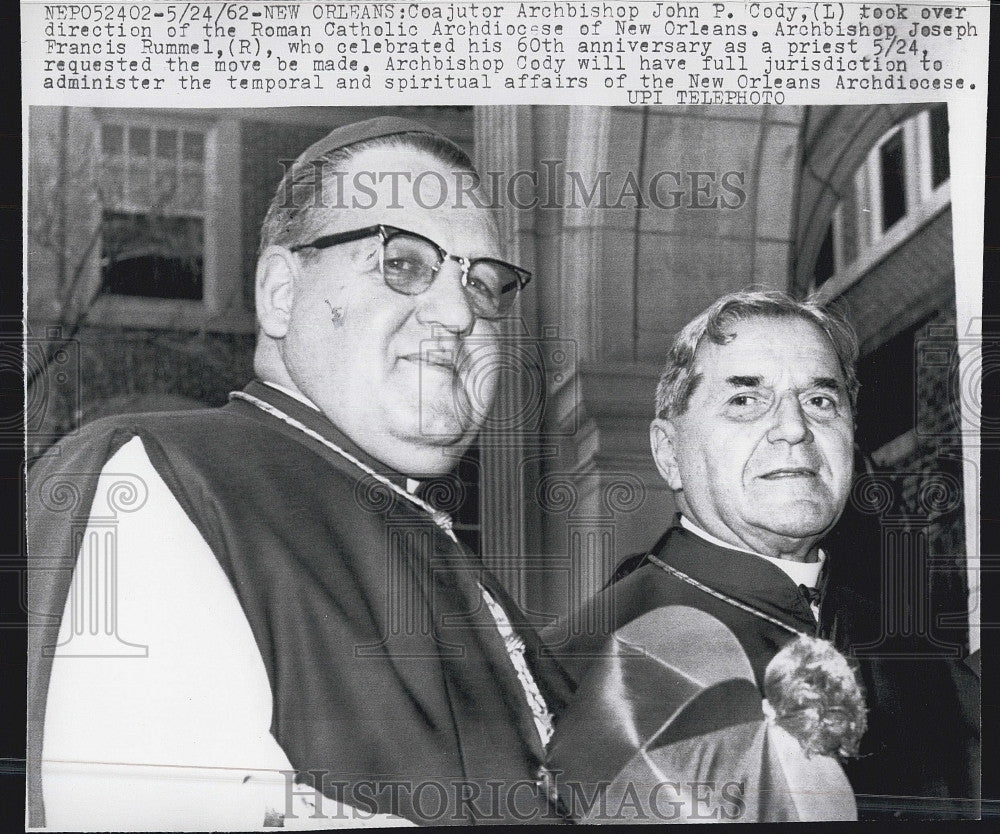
{"x":410,"y":262}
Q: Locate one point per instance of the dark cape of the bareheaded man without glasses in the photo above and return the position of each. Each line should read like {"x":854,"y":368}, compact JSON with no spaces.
{"x":922,"y":725}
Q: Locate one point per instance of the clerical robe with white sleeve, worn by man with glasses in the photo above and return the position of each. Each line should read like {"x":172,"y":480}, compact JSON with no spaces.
{"x":344,"y":640}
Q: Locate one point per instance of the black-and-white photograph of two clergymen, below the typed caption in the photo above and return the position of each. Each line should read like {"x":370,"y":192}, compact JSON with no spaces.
{"x":486,"y":464}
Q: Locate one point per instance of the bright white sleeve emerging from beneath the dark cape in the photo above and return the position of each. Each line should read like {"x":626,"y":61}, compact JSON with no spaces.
{"x":159,"y":706}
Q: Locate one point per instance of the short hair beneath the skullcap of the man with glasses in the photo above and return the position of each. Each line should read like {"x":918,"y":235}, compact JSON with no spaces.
{"x":297,"y":212}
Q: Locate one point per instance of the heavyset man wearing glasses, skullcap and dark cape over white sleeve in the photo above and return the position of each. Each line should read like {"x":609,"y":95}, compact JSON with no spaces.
{"x":319,"y":648}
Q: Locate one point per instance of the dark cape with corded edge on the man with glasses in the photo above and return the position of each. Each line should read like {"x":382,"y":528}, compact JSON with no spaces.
{"x":383,"y":662}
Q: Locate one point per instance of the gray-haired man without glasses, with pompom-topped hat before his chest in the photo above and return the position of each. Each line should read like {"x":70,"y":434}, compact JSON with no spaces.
{"x":754,"y":433}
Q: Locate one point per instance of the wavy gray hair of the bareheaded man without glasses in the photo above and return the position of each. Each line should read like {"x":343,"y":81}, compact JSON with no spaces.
{"x":678,"y":378}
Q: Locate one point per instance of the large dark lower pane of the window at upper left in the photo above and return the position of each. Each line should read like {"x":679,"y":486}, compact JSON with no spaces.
{"x":152,"y":256}
